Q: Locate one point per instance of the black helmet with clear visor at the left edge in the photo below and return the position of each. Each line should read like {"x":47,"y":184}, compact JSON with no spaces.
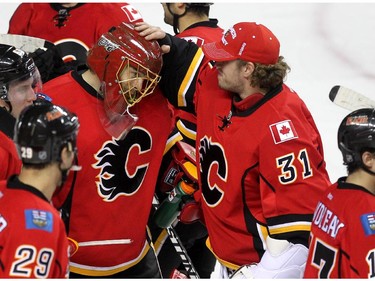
{"x":16,"y":65}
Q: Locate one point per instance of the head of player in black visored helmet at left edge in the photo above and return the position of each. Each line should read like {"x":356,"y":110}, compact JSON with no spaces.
{"x":19,"y":79}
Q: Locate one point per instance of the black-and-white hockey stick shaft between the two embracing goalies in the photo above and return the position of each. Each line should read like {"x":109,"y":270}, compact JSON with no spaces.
{"x":179,"y":247}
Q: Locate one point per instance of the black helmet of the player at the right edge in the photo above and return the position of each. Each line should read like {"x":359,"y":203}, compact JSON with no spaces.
{"x":356,"y":133}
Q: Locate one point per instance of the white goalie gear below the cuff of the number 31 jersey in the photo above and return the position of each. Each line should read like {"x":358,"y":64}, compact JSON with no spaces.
{"x":282,"y":259}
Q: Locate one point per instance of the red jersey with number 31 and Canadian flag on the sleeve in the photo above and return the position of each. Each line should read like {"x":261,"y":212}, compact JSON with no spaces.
{"x":261,"y":167}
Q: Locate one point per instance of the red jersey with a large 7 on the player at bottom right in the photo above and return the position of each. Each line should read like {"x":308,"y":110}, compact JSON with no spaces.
{"x":342,"y":242}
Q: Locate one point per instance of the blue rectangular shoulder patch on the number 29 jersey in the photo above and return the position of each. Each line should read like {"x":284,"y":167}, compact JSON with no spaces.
{"x":37,"y":219}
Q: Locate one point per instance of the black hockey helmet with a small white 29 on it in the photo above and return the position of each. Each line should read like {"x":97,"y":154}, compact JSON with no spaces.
{"x":43,"y":130}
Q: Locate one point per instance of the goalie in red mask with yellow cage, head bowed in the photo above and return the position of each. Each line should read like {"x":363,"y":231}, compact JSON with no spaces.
{"x":109,"y":202}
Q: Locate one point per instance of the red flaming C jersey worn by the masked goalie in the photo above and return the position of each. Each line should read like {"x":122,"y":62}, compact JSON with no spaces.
{"x":112,"y":194}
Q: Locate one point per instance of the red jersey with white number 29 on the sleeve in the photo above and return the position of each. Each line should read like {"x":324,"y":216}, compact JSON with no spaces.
{"x":33,"y":242}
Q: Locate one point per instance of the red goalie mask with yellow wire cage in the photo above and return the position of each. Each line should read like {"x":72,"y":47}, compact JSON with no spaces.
{"x":117,"y":50}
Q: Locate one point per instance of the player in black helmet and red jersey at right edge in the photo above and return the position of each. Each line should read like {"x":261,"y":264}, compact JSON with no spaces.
{"x":342,"y":240}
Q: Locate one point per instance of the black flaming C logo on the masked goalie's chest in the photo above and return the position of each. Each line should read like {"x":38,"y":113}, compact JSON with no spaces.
{"x":123,"y":164}
